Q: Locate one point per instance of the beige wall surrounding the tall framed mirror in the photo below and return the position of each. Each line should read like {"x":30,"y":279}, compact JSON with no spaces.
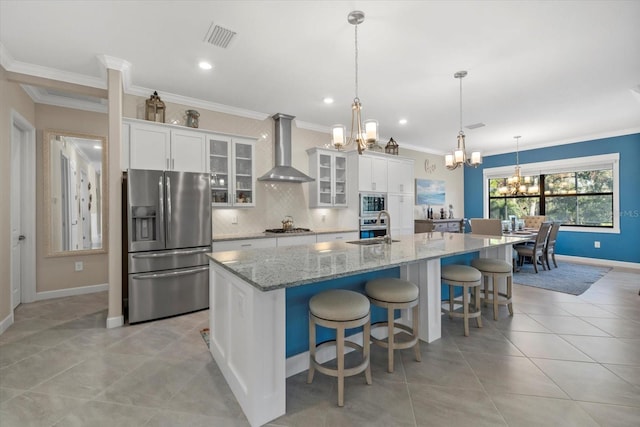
{"x":58,"y":272}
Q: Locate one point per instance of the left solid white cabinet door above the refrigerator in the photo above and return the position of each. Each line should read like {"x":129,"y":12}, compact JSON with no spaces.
{"x":149,"y":147}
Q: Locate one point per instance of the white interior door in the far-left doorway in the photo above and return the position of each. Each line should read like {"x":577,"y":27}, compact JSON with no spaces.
{"x":16,"y":223}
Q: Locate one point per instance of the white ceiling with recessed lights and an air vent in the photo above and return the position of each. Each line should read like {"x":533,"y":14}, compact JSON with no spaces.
{"x":553,"y":72}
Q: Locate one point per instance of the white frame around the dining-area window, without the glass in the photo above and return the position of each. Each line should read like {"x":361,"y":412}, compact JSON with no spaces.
{"x":603,"y":161}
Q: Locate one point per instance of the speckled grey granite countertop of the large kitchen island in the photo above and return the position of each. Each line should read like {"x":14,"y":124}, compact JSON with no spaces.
{"x":282,"y":267}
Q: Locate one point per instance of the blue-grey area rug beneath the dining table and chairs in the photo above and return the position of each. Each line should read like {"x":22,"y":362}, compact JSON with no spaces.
{"x":569,"y":278}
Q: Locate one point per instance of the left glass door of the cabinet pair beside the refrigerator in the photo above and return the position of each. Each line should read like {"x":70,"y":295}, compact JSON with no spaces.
{"x":219,"y":167}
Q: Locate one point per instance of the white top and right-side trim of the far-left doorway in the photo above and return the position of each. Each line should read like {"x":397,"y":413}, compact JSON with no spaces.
{"x":28,"y":206}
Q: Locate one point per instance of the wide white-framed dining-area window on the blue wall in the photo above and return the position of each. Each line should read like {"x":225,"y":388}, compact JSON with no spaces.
{"x":581,"y":193}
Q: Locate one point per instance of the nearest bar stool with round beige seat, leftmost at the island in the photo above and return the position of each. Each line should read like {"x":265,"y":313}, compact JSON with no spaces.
{"x":339,"y":309}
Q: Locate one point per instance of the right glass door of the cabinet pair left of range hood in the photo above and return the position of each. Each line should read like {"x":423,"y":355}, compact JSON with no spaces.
{"x":243,"y":172}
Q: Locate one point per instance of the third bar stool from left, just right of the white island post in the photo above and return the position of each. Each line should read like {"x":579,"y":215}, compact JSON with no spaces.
{"x":468,"y":278}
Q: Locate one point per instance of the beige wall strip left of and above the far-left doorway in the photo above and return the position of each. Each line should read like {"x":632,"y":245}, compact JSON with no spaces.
{"x":12,"y":97}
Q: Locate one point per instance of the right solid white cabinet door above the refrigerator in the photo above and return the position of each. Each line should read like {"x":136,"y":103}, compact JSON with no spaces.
{"x":188,"y":151}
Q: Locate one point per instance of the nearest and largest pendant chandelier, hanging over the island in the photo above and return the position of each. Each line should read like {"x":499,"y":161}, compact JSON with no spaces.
{"x":365,"y":137}
